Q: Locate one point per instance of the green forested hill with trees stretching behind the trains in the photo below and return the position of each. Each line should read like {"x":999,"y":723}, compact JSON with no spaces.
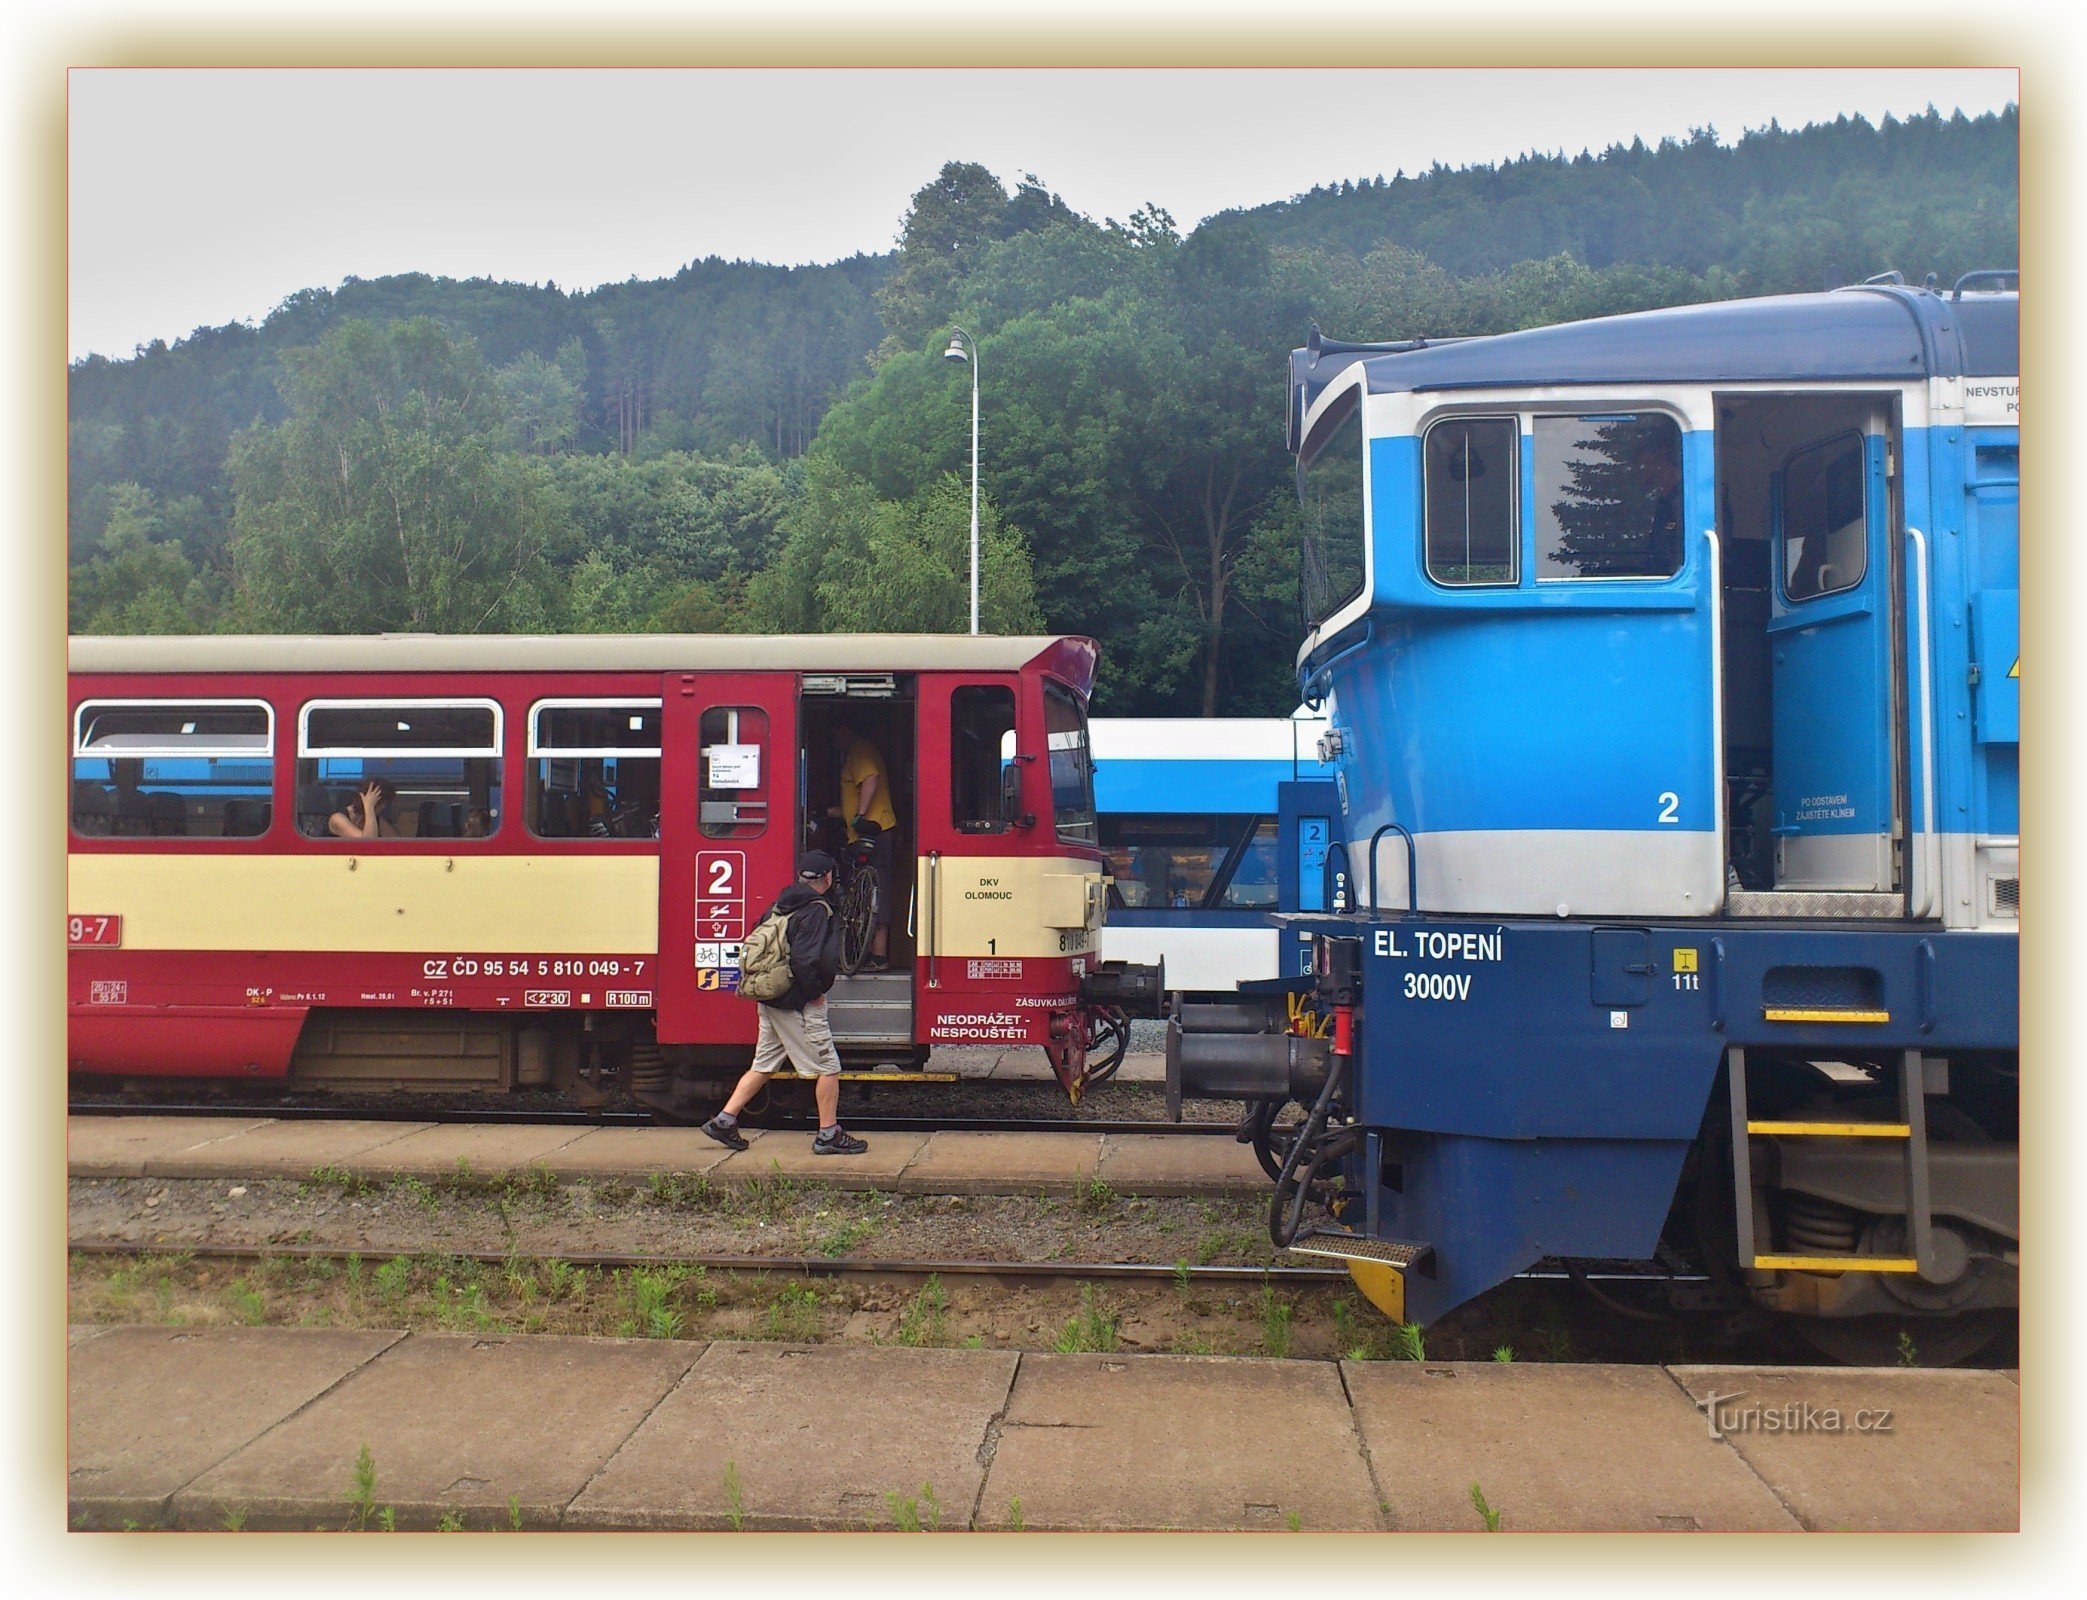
{"x":748,"y":447}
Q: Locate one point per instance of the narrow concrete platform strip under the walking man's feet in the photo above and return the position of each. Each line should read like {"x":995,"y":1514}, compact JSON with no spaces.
{"x":898,"y":1163}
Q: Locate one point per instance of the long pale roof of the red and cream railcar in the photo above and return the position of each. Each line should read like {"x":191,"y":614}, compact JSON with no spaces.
{"x":579,"y":654}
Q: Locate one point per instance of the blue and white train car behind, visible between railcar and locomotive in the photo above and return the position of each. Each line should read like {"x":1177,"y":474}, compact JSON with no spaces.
{"x":1209,"y":825}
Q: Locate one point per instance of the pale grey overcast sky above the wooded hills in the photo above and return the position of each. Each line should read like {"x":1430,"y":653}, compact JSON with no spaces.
{"x":206,"y":197}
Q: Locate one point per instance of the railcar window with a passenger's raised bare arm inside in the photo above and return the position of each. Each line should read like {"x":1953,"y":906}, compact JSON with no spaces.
{"x":437,"y":762}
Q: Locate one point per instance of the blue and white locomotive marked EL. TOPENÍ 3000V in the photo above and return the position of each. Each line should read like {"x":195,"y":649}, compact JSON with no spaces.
{"x":1673,"y":685}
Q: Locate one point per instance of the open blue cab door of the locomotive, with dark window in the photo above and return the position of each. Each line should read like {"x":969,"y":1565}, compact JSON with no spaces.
{"x":1831,"y":641}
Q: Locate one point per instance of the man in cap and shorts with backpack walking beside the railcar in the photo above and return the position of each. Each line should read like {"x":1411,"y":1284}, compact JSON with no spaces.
{"x":794,"y":1027}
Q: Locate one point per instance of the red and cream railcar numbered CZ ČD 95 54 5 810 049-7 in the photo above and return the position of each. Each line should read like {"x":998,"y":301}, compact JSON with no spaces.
{"x":581,"y":831}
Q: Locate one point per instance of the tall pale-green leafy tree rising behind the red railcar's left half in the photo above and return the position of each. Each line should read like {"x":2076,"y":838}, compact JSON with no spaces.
{"x":387,"y":500}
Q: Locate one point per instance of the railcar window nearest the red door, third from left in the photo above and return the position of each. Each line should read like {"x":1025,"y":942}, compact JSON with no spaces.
{"x":594,"y":771}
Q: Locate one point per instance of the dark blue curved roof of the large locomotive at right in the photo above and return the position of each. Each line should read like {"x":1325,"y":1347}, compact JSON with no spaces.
{"x":1871,"y":333}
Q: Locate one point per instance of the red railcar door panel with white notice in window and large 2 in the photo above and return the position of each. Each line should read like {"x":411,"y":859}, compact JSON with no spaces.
{"x":727,"y":840}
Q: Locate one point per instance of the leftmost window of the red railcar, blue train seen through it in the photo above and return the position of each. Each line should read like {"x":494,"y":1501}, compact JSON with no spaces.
{"x":174,"y":769}
